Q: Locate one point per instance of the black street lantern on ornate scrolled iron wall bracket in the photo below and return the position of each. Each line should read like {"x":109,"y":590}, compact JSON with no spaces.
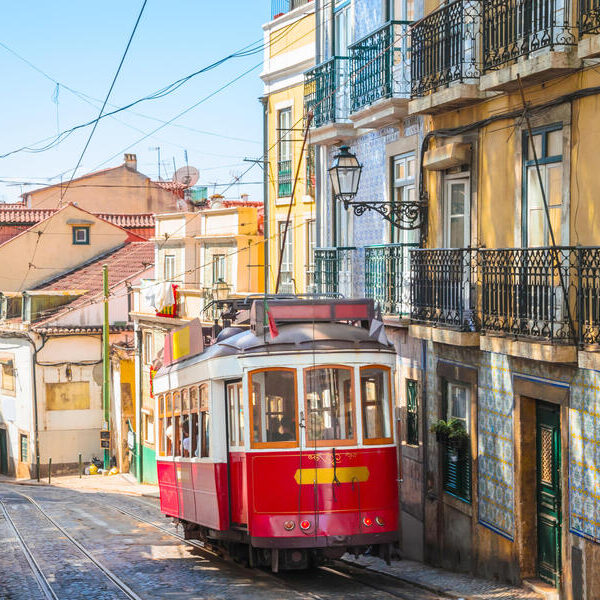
{"x":344,"y":175}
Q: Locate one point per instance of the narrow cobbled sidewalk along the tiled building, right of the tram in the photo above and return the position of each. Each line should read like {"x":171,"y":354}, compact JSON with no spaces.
{"x":439,"y":581}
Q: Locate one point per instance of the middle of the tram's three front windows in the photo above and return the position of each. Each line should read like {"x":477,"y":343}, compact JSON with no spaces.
{"x":329,"y":405}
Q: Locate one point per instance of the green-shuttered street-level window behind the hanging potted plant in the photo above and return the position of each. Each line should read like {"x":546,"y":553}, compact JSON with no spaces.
{"x":456,"y":459}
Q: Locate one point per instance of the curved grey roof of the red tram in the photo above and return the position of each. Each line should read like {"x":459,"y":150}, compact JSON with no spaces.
{"x":297,"y":337}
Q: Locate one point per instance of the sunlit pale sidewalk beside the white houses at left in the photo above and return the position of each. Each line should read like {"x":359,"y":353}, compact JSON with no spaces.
{"x":123,"y":483}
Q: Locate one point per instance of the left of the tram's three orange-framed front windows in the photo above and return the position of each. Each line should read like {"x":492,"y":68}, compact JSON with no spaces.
{"x":273,"y":409}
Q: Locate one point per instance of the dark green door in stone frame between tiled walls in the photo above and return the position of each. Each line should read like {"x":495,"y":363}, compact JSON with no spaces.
{"x":548,"y":492}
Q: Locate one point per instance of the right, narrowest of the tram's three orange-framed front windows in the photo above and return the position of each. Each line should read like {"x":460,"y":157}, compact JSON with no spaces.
{"x":376,"y":404}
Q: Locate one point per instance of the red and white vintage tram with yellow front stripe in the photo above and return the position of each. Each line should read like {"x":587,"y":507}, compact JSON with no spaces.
{"x":281,"y":449}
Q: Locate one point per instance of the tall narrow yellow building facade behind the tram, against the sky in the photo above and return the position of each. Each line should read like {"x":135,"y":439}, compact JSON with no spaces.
{"x":290,"y":214}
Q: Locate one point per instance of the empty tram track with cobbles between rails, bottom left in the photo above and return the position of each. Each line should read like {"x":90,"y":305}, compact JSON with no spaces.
{"x":50,"y":578}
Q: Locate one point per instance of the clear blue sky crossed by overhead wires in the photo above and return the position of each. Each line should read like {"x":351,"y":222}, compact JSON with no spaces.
{"x":80,"y":45}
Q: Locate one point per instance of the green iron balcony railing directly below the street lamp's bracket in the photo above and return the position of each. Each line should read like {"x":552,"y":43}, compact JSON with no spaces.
{"x":387,"y":277}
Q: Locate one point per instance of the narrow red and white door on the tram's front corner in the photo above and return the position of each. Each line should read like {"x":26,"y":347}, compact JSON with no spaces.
{"x":236,"y":454}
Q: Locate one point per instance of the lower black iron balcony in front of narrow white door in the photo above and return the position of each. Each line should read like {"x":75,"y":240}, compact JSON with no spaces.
{"x":443,"y":287}
